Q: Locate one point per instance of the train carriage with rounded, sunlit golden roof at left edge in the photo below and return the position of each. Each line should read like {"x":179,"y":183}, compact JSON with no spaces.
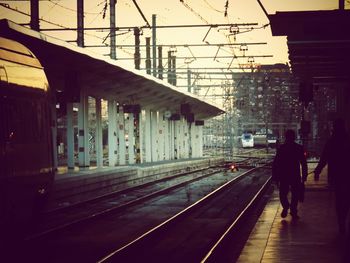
{"x":26,"y":161}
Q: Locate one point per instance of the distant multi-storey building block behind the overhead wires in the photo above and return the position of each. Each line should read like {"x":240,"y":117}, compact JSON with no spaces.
{"x":266,"y":98}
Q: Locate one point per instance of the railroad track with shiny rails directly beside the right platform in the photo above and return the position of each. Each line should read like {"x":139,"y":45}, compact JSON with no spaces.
{"x":188,"y":236}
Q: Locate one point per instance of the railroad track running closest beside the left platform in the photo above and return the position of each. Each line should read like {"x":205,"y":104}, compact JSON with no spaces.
{"x":68,"y":216}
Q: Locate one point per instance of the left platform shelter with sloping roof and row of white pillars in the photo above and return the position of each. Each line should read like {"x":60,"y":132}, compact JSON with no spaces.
{"x":149,"y":120}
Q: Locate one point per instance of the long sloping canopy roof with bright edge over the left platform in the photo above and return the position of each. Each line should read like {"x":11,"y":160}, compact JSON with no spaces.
{"x":69,"y":68}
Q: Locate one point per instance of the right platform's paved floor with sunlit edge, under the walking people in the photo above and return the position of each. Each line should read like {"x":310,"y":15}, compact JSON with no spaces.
{"x":312,"y":238}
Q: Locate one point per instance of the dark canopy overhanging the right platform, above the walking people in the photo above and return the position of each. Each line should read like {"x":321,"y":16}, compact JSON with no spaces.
{"x":318,"y":43}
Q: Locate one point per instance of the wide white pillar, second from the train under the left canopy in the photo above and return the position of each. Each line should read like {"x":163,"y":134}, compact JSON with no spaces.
{"x":83,"y":131}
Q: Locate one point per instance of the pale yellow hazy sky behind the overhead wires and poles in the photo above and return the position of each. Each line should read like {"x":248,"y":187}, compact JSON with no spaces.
{"x":173,"y":12}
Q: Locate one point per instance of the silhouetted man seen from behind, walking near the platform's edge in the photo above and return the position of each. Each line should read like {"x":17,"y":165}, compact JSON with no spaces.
{"x":286,"y":172}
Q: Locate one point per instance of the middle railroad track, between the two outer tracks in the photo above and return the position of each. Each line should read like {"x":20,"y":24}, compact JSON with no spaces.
{"x":89,"y":240}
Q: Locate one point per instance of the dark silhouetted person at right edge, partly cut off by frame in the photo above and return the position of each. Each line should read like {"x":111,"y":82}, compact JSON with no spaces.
{"x":336,"y":154}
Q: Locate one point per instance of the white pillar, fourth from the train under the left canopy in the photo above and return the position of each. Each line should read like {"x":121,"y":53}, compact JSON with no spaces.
{"x":112,"y":133}
